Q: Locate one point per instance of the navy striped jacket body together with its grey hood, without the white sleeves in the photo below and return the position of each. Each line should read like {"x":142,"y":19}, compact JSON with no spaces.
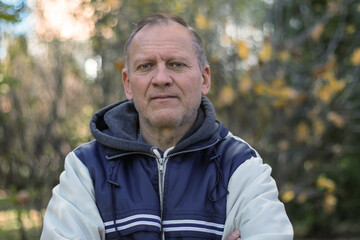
{"x":144,"y":194}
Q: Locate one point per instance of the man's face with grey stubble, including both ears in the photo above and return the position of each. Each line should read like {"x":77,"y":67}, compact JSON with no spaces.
{"x":164,"y":79}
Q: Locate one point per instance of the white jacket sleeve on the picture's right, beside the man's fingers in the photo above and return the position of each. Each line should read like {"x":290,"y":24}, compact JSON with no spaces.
{"x":253,"y":206}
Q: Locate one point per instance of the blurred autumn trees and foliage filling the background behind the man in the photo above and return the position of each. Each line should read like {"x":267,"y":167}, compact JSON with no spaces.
{"x":285,"y":77}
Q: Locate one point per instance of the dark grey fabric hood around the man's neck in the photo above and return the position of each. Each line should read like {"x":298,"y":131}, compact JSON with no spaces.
{"x":117,"y":127}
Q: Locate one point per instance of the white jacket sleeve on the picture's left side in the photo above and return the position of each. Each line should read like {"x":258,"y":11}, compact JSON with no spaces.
{"x":72,"y":212}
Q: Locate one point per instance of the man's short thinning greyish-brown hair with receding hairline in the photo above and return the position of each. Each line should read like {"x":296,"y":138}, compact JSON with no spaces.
{"x":157,"y":18}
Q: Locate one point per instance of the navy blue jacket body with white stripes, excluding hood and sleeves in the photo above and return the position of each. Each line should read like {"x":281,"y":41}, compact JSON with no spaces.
{"x":193,"y":204}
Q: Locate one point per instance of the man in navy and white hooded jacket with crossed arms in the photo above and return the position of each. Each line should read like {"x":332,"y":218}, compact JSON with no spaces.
{"x":161,"y":166}
